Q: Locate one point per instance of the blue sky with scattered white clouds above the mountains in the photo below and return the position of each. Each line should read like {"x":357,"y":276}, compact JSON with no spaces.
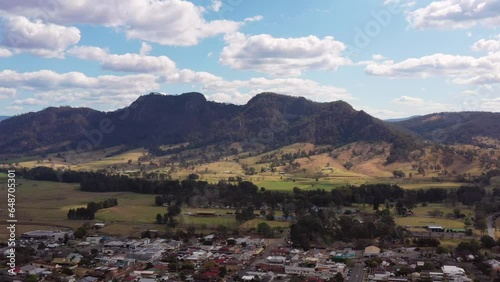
{"x":390,"y":58}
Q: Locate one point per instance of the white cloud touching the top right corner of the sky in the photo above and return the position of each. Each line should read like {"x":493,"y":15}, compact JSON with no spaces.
{"x":456,"y":14}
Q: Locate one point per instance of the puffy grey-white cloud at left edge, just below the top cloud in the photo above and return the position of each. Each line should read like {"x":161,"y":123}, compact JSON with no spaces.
{"x":46,"y":40}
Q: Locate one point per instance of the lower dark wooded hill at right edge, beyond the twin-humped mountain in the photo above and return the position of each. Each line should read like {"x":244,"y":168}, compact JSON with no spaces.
{"x":451,"y":128}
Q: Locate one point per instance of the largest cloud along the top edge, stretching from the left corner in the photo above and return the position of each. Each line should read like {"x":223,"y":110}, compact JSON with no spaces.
{"x":168,"y":22}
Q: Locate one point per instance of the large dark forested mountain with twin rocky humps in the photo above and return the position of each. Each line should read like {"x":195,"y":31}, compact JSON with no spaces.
{"x":269,"y":120}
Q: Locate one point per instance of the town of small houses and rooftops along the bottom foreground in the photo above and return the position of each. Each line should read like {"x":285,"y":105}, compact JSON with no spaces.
{"x":59,"y":256}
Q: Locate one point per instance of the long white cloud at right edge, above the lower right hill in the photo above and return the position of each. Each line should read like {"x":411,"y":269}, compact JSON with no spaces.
{"x":461,"y":69}
